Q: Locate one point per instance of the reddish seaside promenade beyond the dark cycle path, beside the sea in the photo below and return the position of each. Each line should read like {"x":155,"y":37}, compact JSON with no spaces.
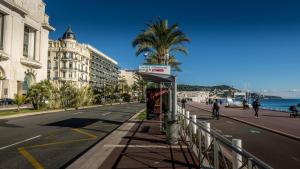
{"x":278,"y":122}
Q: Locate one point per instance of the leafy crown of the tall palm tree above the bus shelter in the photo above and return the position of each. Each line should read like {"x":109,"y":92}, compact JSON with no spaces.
{"x":161,"y":43}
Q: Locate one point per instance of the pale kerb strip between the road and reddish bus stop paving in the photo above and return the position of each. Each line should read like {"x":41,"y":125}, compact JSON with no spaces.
{"x":92,"y":158}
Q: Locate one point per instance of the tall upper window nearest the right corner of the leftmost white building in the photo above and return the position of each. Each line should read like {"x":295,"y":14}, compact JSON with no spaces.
{"x":29,"y":43}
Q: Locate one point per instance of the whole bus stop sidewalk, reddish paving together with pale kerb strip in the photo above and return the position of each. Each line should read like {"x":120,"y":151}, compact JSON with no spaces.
{"x":141,"y":145}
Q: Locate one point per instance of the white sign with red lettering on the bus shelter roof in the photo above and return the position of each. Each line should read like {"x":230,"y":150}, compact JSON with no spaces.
{"x":156,"y":69}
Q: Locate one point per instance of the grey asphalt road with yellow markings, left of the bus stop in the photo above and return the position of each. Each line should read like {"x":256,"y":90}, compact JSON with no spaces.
{"x":56,"y":139}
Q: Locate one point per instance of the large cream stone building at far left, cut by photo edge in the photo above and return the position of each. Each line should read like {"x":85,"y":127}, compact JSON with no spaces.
{"x":24,"y":30}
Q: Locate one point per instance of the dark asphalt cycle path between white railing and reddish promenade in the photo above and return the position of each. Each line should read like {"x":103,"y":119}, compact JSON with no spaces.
{"x":276,"y":150}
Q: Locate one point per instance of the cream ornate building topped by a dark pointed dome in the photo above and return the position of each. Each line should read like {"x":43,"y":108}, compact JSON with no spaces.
{"x":68,"y":60}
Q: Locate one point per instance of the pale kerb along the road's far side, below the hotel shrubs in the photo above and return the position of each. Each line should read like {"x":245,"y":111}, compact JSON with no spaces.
{"x":54,"y":111}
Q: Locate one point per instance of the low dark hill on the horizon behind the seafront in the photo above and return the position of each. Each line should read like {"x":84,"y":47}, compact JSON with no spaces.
{"x":184,"y":87}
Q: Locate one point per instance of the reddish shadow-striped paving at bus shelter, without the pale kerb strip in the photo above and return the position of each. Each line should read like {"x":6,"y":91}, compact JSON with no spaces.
{"x":145,"y":147}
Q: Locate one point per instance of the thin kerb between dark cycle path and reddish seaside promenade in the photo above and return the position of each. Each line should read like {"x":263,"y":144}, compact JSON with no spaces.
{"x":256,"y":125}
